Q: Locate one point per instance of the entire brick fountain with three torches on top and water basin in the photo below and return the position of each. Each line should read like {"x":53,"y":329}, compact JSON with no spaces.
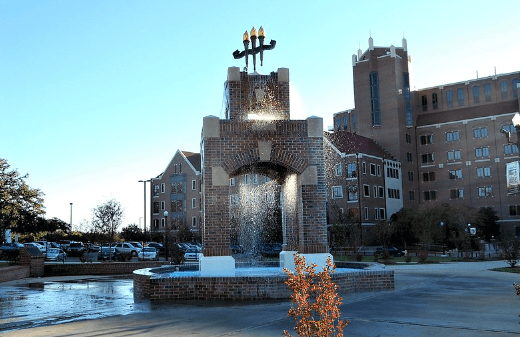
{"x":257,"y":138}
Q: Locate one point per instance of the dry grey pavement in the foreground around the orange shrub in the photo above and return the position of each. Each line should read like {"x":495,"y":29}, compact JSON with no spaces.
{"x":453,"y":299}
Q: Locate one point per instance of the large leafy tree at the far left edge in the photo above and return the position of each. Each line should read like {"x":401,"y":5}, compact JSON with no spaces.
{"x":19,"y":204}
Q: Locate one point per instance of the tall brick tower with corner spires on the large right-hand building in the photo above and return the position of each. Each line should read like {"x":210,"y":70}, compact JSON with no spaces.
{"x":383,"y":100}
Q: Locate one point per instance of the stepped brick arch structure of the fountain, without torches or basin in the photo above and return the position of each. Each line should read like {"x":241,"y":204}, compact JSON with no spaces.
{"x":257,"y":134}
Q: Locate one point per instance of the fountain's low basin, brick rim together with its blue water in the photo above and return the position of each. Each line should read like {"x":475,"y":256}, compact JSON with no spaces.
{"x":248,"y":284}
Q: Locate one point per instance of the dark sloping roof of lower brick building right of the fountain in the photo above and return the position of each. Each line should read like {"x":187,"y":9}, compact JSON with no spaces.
{"x":350,"y":143}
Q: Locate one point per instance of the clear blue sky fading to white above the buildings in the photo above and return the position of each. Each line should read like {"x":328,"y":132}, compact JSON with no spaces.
{"x":95,"y":95}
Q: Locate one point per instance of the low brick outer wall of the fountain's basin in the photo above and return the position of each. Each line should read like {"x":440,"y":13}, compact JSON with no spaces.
{"x":248,"y":288}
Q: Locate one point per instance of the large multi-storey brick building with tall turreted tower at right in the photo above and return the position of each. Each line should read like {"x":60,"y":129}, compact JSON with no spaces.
{"x":446,"y":138}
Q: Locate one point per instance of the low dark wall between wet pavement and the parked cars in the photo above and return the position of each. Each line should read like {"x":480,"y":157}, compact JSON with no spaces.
{"x":98,"y":268}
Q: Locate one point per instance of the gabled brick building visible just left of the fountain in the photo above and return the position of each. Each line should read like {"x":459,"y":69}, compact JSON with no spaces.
{"x":177,"y":190}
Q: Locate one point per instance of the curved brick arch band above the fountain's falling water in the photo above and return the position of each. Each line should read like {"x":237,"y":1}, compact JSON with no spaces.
{"x":286,"y":159}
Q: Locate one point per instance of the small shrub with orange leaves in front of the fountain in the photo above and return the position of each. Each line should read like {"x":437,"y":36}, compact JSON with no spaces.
{"x":317,"y":303}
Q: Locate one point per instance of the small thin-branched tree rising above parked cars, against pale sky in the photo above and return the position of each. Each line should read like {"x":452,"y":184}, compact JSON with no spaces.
{"x":107,"y":217}
